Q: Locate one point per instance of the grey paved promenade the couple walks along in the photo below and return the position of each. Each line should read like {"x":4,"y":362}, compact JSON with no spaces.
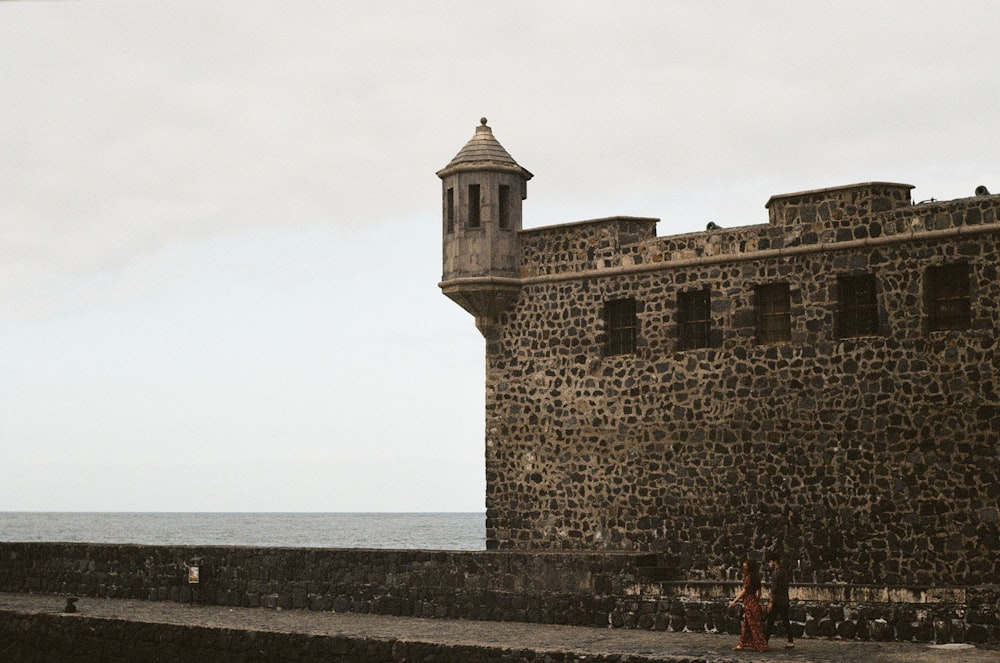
{"x":654,"y":645}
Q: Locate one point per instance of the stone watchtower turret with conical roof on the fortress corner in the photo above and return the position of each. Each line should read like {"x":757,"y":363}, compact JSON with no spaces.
{"x":482,"y":190}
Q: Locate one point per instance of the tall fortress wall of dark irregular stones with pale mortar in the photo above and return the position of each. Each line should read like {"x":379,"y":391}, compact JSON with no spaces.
{"x":862,"y":459}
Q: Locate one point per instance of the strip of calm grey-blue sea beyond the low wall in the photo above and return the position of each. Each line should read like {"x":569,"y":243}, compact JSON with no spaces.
{"x":406,"y":531}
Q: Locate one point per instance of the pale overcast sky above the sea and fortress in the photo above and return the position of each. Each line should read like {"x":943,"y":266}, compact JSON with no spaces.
{"x":220,"y":223}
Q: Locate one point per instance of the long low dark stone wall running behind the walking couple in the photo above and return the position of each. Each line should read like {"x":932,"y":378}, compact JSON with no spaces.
{"x":611,"y":589}
